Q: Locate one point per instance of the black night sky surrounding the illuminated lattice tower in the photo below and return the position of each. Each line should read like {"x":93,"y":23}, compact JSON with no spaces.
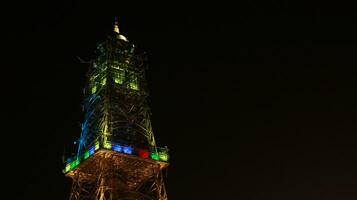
{"x":255,"y":100}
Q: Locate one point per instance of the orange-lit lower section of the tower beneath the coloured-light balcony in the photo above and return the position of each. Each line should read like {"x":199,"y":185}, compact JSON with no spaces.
{"x":110,"y":175}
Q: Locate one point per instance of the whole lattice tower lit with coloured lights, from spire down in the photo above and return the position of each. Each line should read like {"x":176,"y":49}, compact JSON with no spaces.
{"x":117,"y":157}
